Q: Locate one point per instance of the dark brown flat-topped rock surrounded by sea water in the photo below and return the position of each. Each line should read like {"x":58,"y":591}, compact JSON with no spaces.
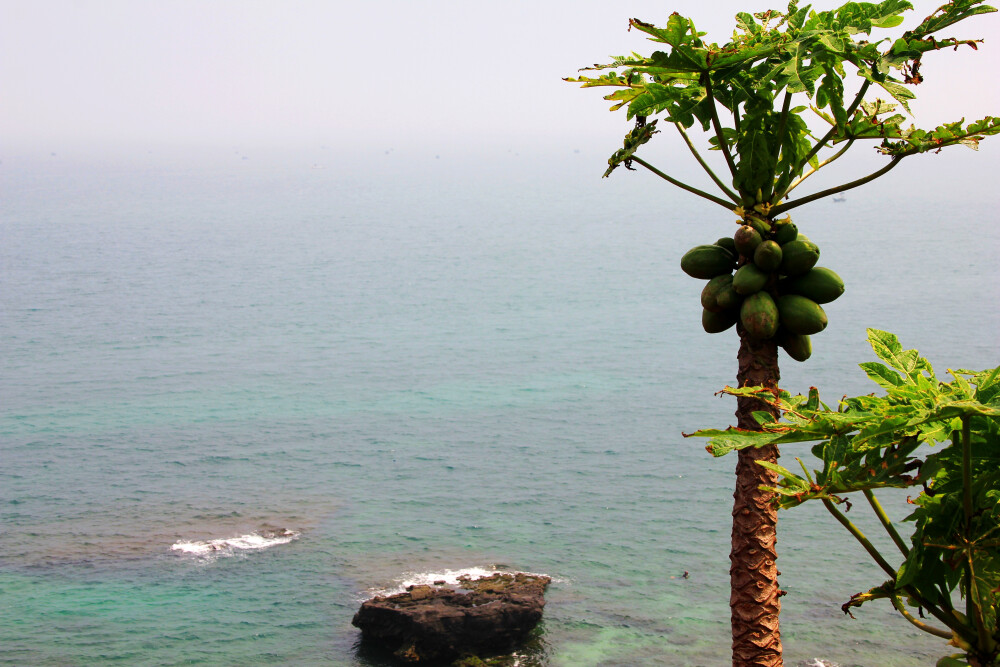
{"x":439,"y":623}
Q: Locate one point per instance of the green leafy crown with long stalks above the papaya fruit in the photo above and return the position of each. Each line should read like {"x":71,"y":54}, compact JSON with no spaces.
{"x":772,"y":58}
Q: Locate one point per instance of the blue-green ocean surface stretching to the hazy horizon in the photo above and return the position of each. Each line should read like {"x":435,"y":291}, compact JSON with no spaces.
{"x":239,"y":394}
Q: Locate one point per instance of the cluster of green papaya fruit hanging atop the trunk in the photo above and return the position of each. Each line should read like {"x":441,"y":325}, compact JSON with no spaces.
{"x":776,"y":290}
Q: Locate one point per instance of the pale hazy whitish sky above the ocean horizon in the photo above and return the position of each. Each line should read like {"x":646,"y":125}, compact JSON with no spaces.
{"x":143,"y":73}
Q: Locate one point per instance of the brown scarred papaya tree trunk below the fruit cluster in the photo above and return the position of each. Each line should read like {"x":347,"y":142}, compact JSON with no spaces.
{"x":754,"y":599}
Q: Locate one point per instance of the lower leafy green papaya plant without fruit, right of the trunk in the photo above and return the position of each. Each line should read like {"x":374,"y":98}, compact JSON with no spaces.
{"x":874,"y":442}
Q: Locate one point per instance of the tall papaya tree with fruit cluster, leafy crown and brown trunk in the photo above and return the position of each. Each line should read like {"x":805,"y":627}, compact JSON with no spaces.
{"x":787,"y":96}
